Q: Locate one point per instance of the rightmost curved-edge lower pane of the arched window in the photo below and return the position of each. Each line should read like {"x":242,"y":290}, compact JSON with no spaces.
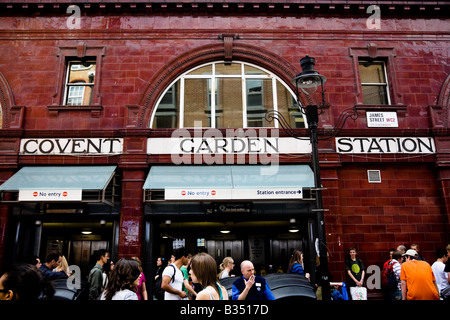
{"x":288,"y":107}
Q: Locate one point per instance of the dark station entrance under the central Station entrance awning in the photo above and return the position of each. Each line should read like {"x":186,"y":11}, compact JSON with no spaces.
{"x":269,"y":244}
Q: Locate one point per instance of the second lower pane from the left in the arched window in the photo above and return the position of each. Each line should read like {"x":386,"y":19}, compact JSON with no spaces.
{"x":197,"y":100}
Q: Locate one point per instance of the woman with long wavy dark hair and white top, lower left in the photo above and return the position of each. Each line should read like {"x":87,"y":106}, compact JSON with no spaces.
{"x":124,"y":277}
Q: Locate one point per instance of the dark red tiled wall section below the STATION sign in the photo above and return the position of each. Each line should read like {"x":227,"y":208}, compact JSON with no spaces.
{"x":404,"y":208}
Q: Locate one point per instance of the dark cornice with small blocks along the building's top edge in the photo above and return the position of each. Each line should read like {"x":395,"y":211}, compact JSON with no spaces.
{"x":287,"y":7}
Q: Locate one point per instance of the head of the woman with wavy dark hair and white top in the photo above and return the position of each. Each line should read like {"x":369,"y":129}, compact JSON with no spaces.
{"x":125,"y":275}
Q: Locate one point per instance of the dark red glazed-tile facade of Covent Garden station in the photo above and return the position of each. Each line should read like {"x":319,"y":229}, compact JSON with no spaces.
{"x":140,"y":49}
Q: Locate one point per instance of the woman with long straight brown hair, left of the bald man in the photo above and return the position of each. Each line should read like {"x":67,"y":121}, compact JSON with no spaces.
{"x":204,"y":271}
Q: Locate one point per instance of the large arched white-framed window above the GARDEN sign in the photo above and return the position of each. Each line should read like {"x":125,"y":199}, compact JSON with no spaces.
{"x":222,"y":95}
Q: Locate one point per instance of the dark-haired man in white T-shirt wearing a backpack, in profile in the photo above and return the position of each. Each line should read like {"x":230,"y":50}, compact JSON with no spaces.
{"x":172,"y":281}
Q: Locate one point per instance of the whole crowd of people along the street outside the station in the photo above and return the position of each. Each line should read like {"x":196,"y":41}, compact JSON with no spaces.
{"x":405,"y":276}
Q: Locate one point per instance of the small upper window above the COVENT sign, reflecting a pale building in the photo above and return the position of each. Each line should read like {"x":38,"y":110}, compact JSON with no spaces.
{"x":80,"y":80}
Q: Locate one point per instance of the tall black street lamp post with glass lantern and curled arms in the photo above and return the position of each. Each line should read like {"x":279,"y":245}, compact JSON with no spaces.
{"x":312,"y":104}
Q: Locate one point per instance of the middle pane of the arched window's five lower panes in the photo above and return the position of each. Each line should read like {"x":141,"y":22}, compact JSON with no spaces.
{"x":229,"y":104}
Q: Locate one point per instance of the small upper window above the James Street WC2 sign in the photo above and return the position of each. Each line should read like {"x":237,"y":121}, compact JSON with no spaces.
{"x":374,"y":82}
